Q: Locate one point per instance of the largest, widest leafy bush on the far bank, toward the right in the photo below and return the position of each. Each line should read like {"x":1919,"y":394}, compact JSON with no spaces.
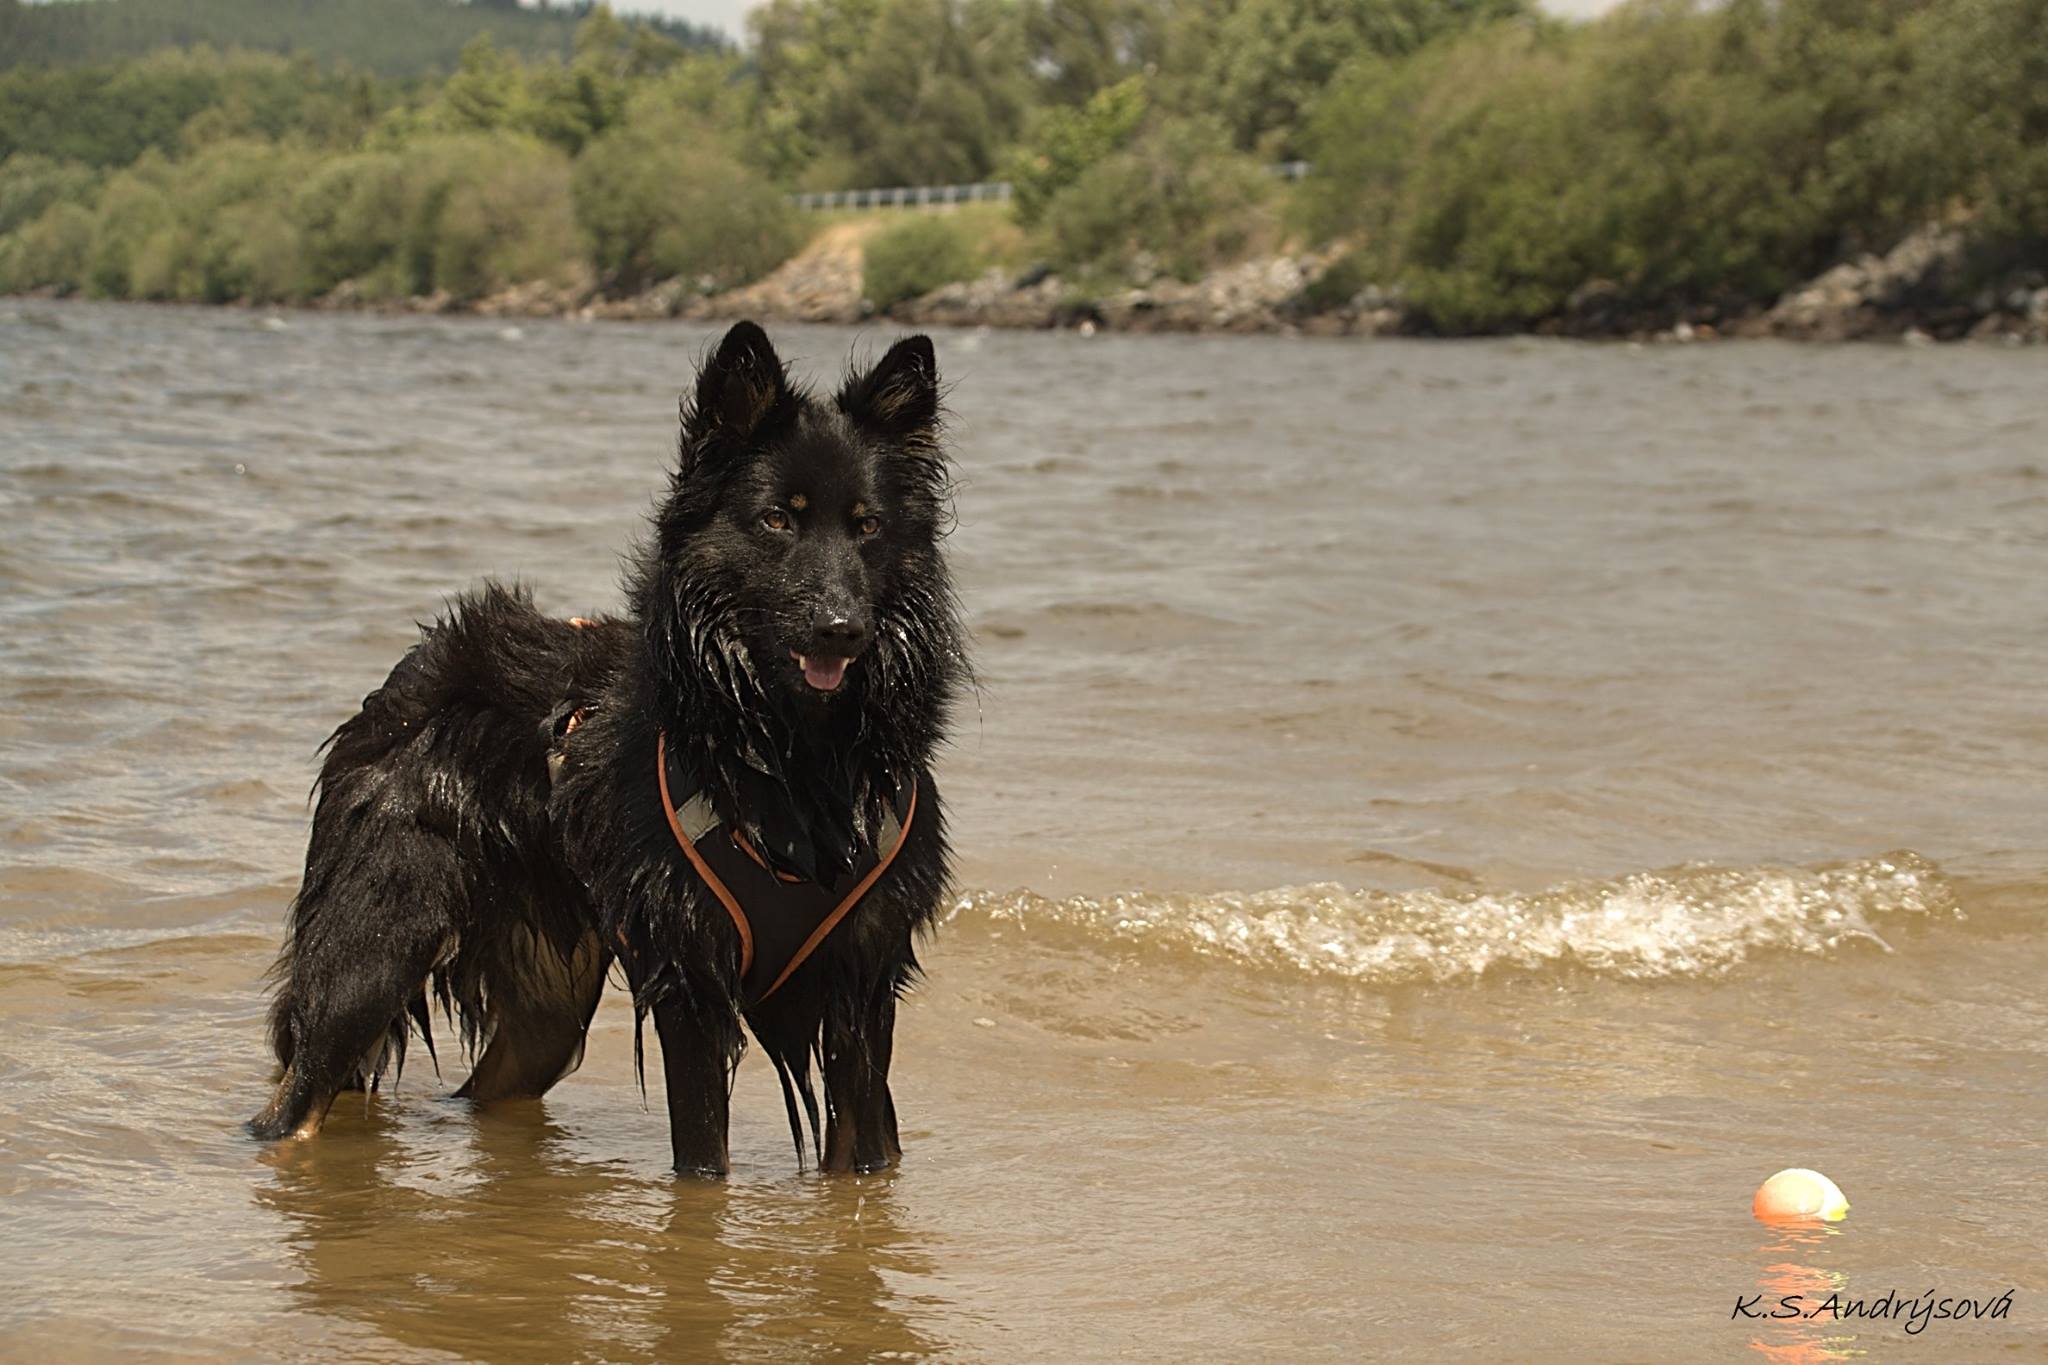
{"x":1680,"y":159}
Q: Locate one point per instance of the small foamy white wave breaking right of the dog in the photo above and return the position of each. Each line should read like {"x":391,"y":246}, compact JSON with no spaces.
{"x":1682,"y":922}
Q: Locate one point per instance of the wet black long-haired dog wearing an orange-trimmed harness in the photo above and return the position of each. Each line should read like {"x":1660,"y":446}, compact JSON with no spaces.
{"x":728,"y":791}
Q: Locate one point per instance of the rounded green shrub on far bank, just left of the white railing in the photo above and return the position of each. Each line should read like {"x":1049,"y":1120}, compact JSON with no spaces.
{"x":663,"y":200}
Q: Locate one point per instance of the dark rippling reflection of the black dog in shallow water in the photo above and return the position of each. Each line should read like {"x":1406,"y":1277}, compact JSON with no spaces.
{"x":490,"y":1235}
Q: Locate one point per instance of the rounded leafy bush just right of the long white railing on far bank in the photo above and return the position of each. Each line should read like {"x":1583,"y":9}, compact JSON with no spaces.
{"x":1179,"y":195}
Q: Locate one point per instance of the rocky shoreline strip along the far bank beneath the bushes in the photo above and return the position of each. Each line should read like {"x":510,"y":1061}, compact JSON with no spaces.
{"x":1912,"y":294}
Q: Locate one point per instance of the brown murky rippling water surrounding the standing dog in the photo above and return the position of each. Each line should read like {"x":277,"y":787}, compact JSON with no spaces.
{"x":1441,"y":826}
